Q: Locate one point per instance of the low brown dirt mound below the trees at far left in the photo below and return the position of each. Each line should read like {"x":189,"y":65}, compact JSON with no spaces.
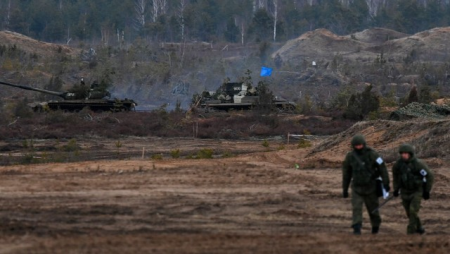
{"x":30,"y":45}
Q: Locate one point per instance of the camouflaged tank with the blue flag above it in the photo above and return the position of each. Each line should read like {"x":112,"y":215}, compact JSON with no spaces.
{"x":239,"y":96}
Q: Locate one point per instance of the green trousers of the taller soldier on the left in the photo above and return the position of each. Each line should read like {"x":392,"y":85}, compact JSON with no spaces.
{"x":371,"y":202}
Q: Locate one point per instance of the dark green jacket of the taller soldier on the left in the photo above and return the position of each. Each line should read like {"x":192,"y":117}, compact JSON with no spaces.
{"x":361,"y":169}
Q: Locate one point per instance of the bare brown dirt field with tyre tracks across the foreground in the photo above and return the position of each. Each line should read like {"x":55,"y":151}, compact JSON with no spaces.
{"x":252,"y":203}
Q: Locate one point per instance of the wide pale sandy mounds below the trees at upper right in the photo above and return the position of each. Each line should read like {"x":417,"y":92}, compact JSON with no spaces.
{"x":366,"y":46}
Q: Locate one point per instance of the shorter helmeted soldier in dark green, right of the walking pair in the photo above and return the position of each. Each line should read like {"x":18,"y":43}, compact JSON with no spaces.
{"x":413,"y":180}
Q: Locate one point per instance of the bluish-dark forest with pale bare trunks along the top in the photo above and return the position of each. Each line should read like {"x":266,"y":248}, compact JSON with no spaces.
{"x":113,"y":22}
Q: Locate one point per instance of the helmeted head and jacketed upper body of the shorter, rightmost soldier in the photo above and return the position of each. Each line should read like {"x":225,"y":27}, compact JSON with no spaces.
{"x":408,"y":174}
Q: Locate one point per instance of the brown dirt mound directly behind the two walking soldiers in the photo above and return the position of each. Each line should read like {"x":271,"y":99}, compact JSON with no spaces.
{"x":429,"y":137}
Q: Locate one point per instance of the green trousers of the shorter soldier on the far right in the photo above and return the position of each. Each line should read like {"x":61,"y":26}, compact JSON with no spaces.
{"x":411,"y":203}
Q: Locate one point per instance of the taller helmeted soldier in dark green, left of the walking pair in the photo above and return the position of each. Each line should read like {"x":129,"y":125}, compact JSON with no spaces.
{"x":361,"y":168}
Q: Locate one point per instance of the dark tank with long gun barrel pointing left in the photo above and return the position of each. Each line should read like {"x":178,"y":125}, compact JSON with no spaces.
{"x":79,"y":97}
